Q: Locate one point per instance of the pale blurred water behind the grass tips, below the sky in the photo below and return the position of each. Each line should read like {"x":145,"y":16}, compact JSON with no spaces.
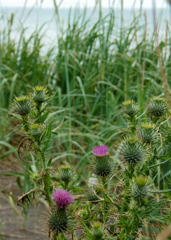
{"x":34,"y":19}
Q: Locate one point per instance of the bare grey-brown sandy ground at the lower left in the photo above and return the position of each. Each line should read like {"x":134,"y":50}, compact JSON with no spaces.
{"x":11,"y":220}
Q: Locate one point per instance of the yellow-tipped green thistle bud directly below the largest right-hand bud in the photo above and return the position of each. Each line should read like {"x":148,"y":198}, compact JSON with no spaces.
{"x":141,"y":188}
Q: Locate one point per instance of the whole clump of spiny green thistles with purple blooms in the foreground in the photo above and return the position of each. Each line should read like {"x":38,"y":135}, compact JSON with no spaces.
{"x":122,"y":199}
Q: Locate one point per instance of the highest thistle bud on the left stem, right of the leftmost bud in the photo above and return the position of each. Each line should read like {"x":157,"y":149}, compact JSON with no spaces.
{"x":39,"y":94}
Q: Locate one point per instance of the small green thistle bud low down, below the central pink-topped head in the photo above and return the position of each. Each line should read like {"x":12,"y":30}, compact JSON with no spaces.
{"x":94,"y":194}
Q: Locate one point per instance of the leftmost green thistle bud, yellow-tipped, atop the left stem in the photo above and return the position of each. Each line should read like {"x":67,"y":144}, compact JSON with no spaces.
{"x":22,"y":105}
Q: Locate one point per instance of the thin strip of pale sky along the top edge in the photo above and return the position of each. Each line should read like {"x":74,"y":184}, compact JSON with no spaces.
{"x":82,"y":3}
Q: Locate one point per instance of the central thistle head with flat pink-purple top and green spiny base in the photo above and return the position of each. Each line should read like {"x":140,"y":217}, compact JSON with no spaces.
{"x":103,"y":164}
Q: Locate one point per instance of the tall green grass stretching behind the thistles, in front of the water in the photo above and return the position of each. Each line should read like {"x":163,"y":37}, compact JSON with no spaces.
{"x":93,"y":68}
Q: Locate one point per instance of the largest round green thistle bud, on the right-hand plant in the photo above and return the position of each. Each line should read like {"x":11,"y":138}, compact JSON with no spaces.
{"x":132,"y":151}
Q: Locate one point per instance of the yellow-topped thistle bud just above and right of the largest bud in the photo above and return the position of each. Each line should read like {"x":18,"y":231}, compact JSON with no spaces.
{"x":147,"y":133}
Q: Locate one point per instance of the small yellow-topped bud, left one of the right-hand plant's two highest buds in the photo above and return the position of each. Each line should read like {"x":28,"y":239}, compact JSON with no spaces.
{"x":130,"y":108}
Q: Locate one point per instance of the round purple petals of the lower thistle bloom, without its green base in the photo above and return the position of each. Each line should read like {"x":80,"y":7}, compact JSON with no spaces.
{"x":62,"y":198}
